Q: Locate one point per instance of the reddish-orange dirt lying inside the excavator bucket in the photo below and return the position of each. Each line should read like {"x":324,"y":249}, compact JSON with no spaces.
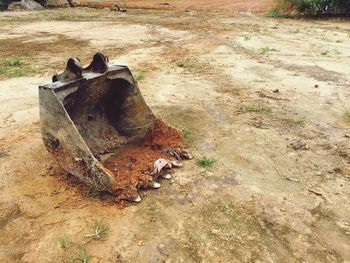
{"x":132,"y":166}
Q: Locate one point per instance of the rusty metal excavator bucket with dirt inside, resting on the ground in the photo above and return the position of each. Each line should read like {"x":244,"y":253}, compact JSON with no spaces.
{"x":97,"y":125}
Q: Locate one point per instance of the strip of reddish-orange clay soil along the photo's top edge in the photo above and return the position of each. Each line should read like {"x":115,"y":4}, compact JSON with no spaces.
{"x":233,"y":5}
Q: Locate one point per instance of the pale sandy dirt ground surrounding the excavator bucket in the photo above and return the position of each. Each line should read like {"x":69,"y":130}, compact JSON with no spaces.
{"x":266,"y":98}
